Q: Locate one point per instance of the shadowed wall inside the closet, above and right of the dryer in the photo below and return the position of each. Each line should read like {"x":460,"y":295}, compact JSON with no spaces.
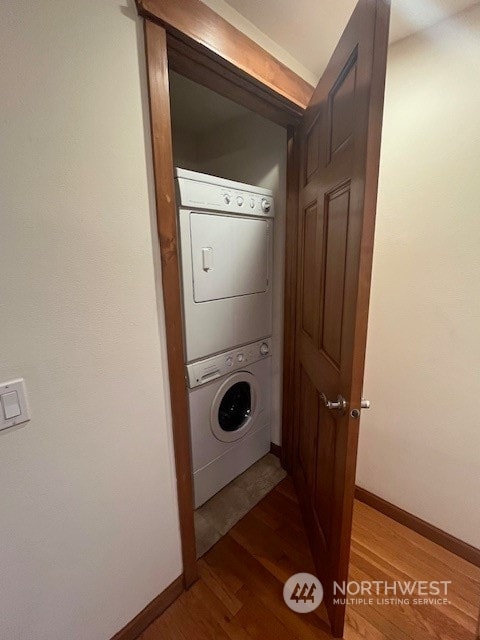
{"x":253,"y":150}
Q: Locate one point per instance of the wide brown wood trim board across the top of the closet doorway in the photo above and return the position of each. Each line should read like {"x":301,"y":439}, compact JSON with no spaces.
{"x":195,"y":21}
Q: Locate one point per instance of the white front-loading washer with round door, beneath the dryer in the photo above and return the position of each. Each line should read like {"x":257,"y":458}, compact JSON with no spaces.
{"x":229,"y":399}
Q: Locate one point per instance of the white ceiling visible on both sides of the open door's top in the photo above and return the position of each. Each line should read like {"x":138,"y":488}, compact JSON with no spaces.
{"x":309,"y":29}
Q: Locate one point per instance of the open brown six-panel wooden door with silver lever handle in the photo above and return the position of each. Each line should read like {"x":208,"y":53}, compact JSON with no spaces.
{"x":339,"y":158}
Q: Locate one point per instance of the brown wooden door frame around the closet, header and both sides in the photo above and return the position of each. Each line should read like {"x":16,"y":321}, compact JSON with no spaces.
{"x":188,"y":37}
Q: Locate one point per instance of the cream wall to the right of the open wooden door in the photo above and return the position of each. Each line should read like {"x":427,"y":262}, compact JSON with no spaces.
{"x":420,"y":441}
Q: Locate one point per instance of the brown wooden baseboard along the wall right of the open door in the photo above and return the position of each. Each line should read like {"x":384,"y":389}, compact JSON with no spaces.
{"x":429,"y":531}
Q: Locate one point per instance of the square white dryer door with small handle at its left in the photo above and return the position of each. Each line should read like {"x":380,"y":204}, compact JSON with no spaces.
{"x":230,"y":256}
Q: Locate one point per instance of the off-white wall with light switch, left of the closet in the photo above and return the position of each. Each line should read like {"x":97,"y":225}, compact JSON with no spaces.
{"x":89,"y":526}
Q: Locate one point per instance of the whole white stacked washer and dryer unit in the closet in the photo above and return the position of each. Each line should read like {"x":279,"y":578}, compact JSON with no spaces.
{"x":226,"y":248}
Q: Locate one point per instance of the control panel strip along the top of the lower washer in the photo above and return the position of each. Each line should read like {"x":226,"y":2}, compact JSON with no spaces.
{"x":209,"y":369}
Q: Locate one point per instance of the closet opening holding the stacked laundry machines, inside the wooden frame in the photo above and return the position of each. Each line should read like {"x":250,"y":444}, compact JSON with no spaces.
{"x":231,"y":189}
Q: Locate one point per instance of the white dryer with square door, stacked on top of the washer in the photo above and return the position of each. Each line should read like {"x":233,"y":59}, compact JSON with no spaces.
{"x":226,"y":249}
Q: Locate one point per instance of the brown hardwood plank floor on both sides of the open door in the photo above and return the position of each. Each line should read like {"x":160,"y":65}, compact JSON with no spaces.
{"x":239,"y":593}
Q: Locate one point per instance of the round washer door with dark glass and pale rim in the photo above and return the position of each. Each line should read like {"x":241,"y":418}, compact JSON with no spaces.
{"x":234,"y":407}
